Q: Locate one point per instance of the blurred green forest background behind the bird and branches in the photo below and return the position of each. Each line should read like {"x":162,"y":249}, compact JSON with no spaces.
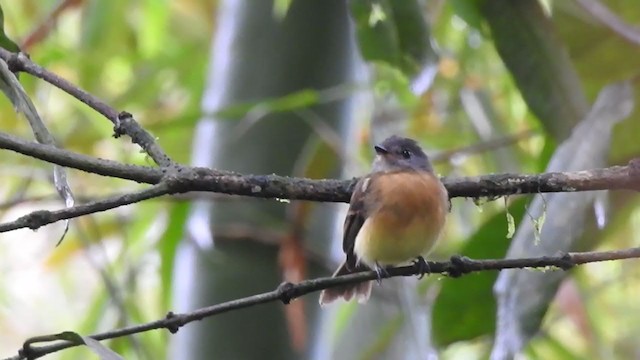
{"x":304,"y":88}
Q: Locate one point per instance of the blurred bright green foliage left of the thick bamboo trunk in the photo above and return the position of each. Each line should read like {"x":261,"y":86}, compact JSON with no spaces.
{"x":148,"y":57}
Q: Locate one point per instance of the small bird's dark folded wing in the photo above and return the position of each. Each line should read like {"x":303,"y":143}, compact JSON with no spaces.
{"x":356,"y":216}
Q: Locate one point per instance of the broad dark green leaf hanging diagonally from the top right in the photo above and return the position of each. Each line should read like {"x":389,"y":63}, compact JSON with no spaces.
{"x":527,"y":43}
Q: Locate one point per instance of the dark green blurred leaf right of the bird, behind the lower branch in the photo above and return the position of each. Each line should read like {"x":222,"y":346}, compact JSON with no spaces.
{"x":465,"y":307}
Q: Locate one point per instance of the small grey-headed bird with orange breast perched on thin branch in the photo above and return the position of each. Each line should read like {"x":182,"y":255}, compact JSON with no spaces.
{"x":396,"y":215}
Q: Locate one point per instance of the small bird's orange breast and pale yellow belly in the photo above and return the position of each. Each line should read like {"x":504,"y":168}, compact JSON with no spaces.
{"x":406,"y":218}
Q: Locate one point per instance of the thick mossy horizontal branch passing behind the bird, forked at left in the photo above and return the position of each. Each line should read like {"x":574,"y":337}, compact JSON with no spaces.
{"x":180,"y":179}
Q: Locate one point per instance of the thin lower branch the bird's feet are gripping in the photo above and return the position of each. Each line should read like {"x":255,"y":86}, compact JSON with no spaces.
{"x":286,"y":292}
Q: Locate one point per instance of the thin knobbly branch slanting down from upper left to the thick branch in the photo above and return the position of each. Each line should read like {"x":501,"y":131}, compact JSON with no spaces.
{"x":124,"y":123}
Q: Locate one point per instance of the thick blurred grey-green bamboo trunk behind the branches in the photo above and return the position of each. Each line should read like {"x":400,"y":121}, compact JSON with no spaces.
{"x":256,"y":56}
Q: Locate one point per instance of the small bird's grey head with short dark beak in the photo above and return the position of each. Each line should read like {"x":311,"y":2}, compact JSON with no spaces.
{"x":397,"y":153}
